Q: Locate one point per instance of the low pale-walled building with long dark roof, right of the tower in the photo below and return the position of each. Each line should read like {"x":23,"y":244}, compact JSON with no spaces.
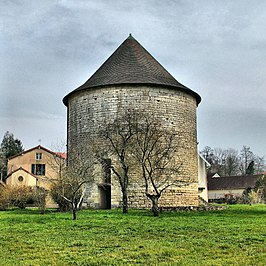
{"x":219,"y":186}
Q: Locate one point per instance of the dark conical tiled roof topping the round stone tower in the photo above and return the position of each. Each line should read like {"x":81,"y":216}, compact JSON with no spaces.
{"x":132,"y":64}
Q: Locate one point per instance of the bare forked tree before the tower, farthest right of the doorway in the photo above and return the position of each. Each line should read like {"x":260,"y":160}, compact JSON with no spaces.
{"x":155,"y":150}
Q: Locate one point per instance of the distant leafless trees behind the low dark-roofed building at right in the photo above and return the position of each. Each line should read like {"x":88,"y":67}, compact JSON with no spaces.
{"x":231,"y":162}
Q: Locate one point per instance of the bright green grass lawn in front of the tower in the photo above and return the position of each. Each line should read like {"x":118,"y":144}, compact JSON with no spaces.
{"x":235,"y":236}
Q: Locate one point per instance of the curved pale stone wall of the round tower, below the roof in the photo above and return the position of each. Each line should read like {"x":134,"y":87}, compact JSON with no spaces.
{"x":89,"y":110}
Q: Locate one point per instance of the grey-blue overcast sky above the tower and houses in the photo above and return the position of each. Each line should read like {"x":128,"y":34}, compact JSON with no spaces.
{"x":216,"y":48}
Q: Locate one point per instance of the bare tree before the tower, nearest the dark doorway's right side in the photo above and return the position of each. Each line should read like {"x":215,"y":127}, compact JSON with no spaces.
{"x":118,"y":136}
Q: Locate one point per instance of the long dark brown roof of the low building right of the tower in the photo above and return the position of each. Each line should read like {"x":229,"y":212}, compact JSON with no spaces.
{"x":232,"y":182}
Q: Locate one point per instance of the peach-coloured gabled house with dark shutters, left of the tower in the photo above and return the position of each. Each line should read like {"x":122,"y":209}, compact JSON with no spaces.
{"x":37,"y":166}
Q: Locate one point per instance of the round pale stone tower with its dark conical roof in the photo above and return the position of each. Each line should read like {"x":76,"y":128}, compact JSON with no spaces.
{"x":132,"y":79}
